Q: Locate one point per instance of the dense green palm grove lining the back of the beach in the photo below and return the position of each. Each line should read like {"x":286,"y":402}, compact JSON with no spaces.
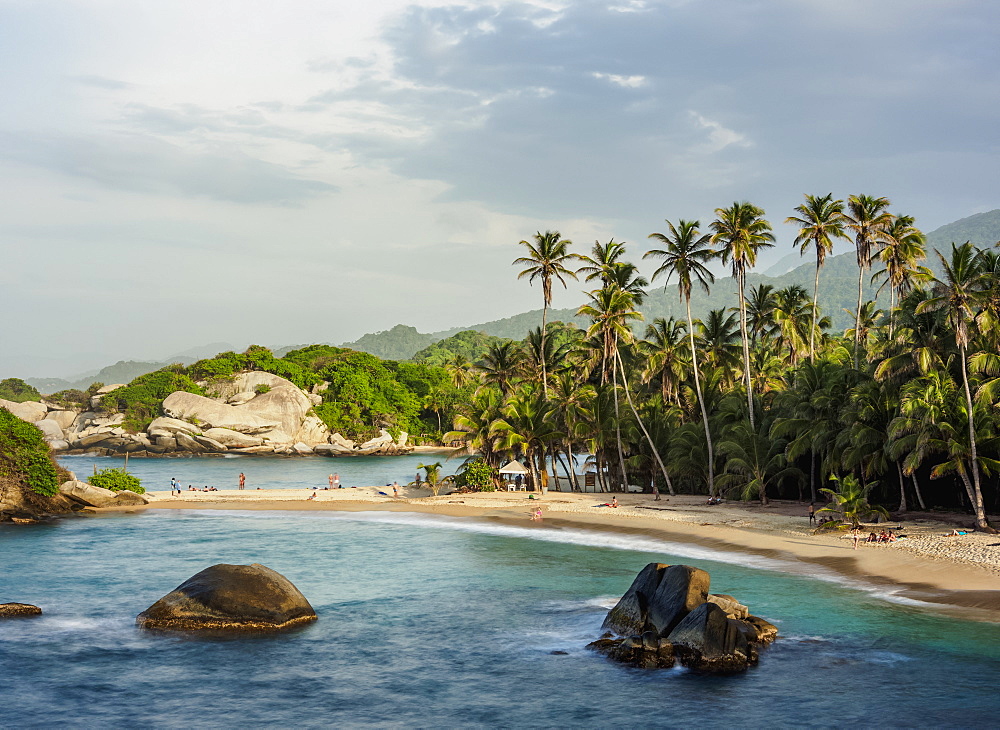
{"x":761,"y":400}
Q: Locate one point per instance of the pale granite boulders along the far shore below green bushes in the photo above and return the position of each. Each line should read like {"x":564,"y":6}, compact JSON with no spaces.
{"x":251,"y":413}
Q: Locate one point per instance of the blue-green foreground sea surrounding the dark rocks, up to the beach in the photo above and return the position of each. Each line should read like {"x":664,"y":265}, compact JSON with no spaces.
{"x":436,"y":621}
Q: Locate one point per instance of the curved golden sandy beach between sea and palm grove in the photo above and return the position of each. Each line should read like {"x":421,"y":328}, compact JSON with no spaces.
{"x":960,"y":574}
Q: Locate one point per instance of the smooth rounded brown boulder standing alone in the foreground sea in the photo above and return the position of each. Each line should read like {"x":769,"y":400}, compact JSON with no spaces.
{"x":230,"y":598}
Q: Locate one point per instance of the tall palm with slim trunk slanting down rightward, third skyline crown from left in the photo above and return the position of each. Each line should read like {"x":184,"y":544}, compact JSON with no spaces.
{"x":685,"y":253}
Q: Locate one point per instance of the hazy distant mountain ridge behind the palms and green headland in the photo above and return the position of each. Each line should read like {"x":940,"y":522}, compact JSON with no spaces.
{"x":838,"y":291}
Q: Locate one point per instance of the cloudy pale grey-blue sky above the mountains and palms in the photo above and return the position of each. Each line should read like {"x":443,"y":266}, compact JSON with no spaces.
{"x":174,"y":174}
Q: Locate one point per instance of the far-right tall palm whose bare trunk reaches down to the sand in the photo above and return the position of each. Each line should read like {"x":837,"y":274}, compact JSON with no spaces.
{"x":960,"y":293}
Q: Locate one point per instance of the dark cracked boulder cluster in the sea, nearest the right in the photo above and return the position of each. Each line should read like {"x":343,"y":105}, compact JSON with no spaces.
{"x":668,"y":616}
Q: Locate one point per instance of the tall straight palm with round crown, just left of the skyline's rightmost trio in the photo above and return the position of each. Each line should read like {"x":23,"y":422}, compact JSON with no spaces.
{"x":741,"y":231}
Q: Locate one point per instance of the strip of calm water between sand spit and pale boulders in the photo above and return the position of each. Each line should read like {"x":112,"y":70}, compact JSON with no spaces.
{"x":266,"y":472}
